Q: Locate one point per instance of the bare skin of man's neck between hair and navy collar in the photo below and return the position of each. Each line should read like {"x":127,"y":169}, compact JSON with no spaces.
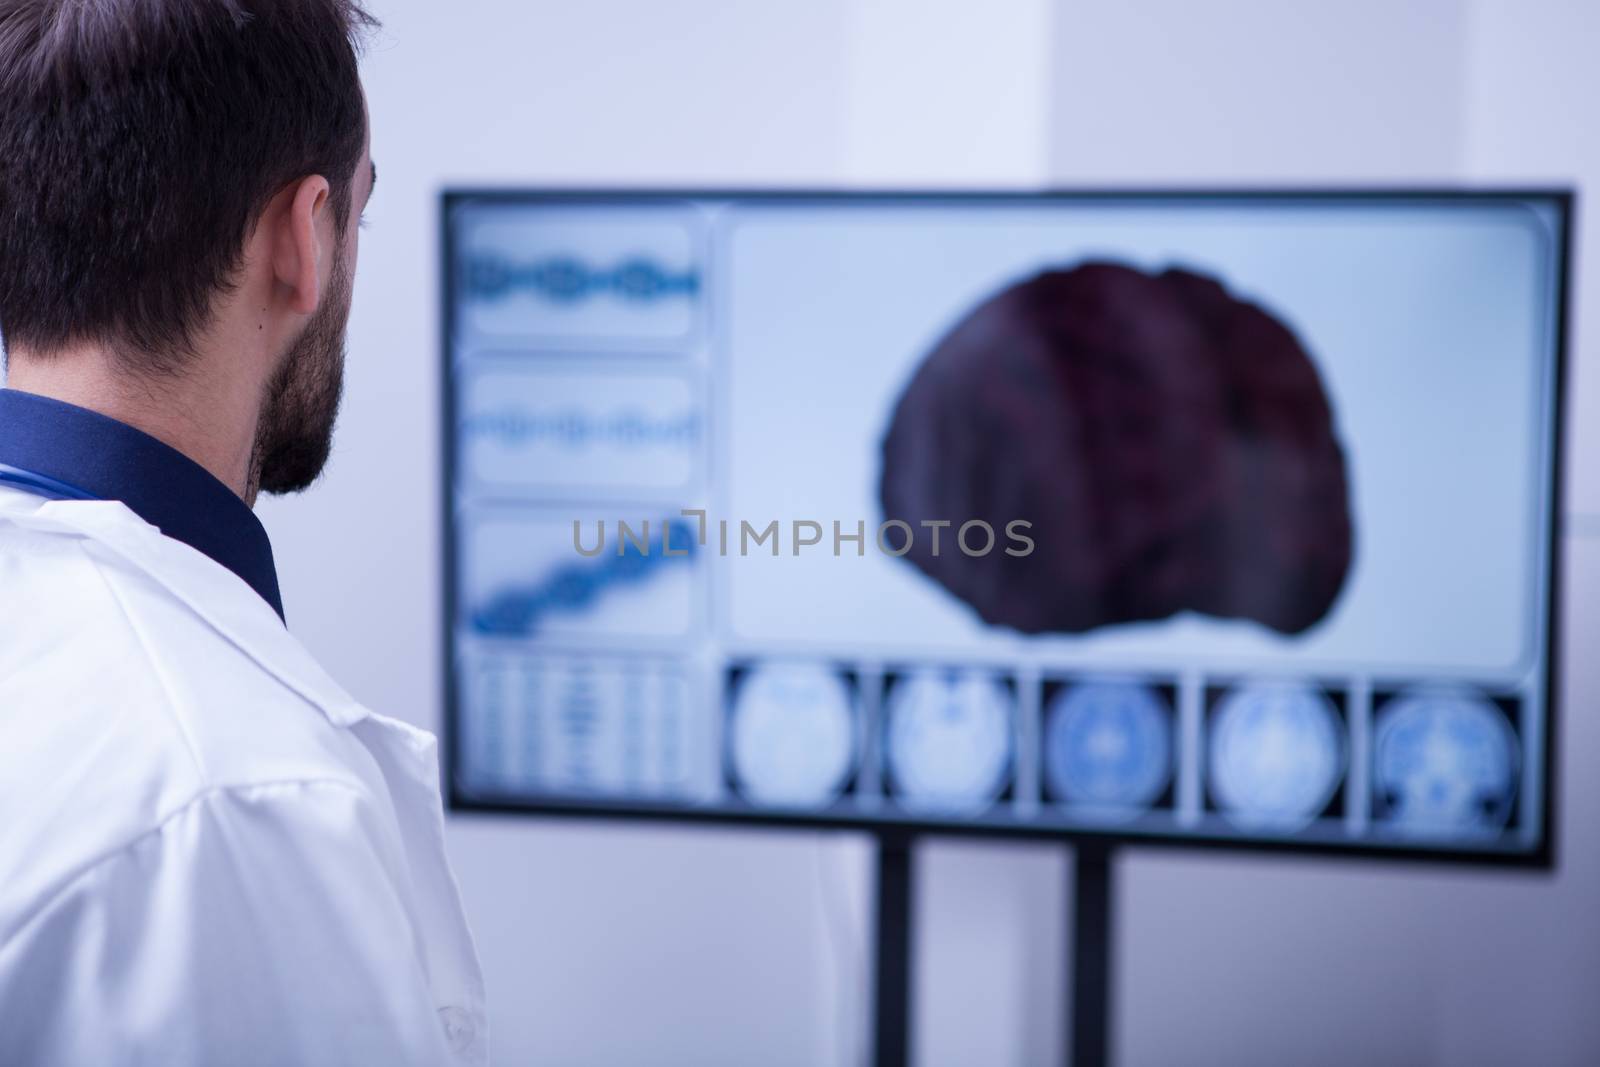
{"x":191,"y":412}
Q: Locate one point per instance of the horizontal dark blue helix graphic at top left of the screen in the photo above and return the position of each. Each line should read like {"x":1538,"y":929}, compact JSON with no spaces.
{"x":570,"y":281}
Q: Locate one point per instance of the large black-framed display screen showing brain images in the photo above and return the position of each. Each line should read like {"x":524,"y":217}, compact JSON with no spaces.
{"x":1201,"y":518}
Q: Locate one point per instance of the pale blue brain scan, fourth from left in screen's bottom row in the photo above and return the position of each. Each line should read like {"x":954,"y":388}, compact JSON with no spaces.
{"x":1276,"y":756}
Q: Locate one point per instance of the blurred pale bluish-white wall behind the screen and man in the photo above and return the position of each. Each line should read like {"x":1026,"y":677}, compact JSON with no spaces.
{"x":614,"y":945}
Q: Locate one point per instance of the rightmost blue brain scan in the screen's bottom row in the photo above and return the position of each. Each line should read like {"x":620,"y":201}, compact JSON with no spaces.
{"x":1444,"y":765}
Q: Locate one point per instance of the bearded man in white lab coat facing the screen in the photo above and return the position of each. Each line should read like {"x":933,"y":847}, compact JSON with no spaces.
{"x":209,"y":853}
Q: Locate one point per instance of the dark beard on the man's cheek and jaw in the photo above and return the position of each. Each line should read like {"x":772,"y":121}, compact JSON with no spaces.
{"x":295,"y":434}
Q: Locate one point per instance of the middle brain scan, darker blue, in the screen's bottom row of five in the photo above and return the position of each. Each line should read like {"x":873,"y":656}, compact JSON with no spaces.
{"x":1108,"y":748}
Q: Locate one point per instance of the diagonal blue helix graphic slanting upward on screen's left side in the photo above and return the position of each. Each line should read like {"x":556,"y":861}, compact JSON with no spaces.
{"x":575,"y":588}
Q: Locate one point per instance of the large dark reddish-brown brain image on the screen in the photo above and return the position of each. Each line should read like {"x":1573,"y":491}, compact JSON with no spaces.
{"x":1170,"y":444}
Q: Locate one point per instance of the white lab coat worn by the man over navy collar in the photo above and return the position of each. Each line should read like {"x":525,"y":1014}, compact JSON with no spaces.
{"x":209,"y":852}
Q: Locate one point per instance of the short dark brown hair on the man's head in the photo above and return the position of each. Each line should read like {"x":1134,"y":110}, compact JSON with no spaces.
{"x":140,"y":142}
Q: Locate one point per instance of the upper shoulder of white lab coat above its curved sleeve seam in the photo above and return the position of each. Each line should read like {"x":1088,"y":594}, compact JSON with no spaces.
{"x":121,"y":709}
